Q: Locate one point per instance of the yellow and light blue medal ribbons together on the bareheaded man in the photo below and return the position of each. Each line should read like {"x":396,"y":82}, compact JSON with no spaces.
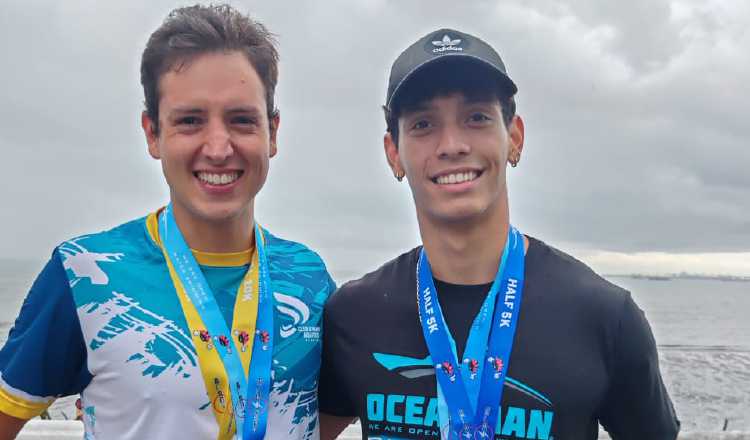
{"x":225,"y":356}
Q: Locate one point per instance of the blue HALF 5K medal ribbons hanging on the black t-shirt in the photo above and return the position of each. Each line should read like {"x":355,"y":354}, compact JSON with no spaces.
{"x":471,"y":406}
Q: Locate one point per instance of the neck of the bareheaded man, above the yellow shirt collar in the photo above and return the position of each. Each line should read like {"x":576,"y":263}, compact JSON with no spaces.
{"x":233,"y":234}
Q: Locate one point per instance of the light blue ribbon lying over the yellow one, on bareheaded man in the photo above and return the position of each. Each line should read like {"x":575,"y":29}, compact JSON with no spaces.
{"x":200,"y":294}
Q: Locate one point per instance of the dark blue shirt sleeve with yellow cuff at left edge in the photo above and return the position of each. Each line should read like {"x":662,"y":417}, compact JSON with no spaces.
{"x":45,"y":355}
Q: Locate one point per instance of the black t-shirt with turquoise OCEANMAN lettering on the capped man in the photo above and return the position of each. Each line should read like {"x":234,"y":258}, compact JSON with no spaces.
{"x":583,"y":353}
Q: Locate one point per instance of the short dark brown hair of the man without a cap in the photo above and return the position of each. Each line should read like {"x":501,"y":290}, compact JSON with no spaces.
{"x":196,"y":30}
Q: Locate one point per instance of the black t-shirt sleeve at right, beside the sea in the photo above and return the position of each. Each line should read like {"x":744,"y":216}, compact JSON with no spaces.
{"x":637,"y":405}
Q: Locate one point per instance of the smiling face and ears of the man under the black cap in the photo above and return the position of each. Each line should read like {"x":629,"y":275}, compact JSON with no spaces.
{"x":454,"y":152}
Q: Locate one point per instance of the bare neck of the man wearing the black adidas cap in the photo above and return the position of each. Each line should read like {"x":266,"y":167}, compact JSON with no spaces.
{"x":466,"y":252}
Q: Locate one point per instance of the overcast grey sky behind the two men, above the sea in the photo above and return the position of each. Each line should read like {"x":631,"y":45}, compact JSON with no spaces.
{"x":636,"y":158}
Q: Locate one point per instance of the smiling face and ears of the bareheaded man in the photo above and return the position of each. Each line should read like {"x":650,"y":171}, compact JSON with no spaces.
{"x":214,"y":139}
